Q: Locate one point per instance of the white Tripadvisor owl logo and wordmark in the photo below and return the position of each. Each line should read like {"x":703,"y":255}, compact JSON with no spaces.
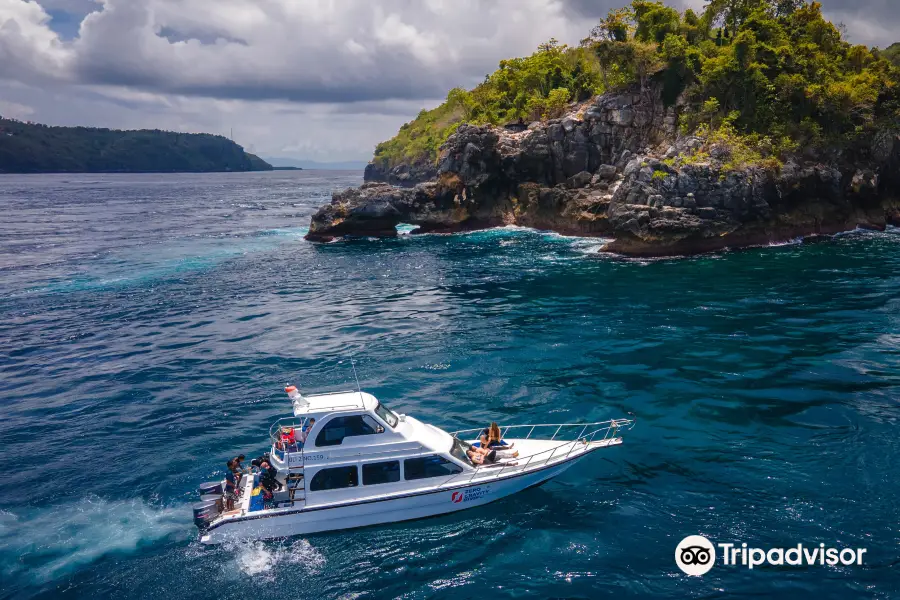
{"x":696,"y":555}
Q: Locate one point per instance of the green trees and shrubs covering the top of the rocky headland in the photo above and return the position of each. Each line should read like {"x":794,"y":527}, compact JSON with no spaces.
{"x":772,"y":76}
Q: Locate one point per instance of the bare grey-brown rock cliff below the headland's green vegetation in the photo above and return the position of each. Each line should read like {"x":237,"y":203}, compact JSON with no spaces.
{"x":617,"y":167}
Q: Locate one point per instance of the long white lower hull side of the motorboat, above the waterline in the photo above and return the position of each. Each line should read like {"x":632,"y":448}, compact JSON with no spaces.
{"x":415,"y":505}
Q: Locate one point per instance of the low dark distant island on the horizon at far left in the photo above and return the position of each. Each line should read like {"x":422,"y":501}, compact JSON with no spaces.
{"x":36,"y":148}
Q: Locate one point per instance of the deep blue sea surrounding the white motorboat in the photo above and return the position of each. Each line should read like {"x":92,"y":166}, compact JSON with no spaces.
{"x":149,"y":323}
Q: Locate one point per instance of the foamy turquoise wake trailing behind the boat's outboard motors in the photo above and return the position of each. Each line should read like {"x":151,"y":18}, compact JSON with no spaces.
{"x":48,"y":543}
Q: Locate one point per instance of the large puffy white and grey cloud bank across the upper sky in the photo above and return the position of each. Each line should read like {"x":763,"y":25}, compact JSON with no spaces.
{"x":315,"y":51}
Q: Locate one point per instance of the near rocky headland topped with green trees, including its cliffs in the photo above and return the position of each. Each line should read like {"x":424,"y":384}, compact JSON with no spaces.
{"x":669,"y":132}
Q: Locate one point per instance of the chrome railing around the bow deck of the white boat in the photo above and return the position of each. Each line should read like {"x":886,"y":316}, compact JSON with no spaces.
{"x":587,"y":434}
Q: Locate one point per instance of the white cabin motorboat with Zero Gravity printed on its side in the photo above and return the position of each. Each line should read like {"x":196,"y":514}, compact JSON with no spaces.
{"x":362,"y":464}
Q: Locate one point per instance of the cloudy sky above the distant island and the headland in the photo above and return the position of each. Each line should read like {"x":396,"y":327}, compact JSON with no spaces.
{"x":320,"y":80}
